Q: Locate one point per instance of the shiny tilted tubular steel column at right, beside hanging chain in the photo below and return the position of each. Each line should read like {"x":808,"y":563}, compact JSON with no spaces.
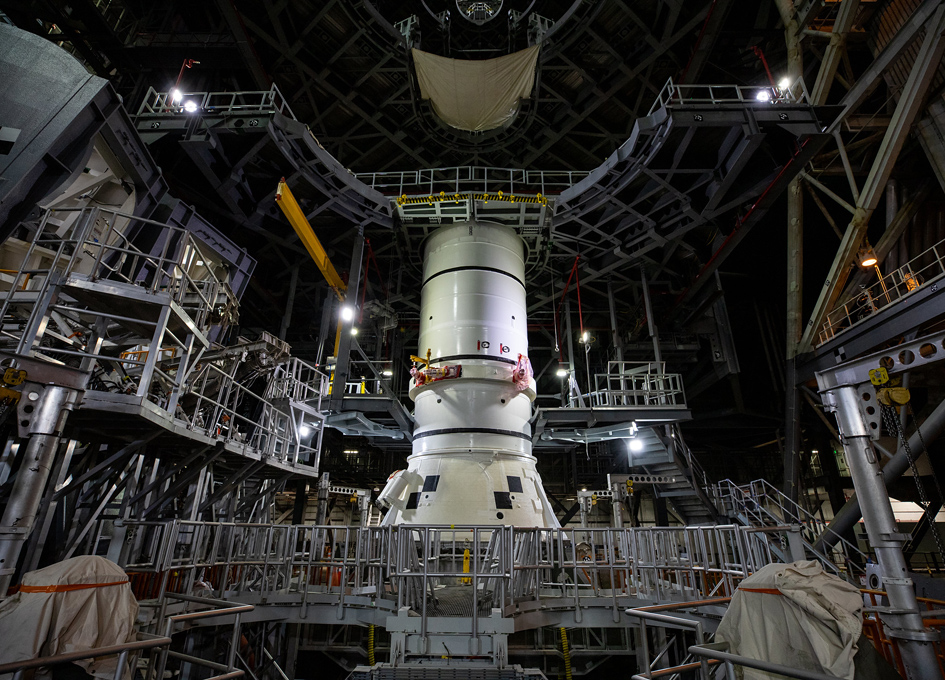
{"x":904,"y":622}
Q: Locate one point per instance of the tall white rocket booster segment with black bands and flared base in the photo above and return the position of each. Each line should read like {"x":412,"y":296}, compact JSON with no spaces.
{"x":472,"y":457}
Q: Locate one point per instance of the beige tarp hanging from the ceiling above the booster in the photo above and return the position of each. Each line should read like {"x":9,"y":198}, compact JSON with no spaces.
{"x":476,"y":95}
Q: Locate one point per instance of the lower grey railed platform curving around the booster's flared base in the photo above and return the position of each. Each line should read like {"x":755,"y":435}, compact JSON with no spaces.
{"x":487,"y":608}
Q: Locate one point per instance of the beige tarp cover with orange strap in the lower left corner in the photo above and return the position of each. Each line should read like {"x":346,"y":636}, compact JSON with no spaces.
{"x":49,"y":615}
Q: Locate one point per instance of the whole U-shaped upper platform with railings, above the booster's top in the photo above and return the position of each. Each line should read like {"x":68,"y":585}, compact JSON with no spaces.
{"x":691,"y":161}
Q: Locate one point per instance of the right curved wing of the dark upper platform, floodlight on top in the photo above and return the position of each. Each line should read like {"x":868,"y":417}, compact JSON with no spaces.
{"x":691,"y":160}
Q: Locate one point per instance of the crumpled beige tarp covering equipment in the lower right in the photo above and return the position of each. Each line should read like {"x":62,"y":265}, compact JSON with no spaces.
{"x":795,"y":615}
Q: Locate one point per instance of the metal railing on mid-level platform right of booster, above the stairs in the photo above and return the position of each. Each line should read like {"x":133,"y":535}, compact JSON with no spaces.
{"x":629,"y":383}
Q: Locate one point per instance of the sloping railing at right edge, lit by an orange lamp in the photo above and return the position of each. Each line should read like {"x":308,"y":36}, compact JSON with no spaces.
{"x":923,"y":270}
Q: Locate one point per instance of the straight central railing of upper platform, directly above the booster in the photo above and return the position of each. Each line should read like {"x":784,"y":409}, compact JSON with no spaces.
{"x":468,"y":178}
